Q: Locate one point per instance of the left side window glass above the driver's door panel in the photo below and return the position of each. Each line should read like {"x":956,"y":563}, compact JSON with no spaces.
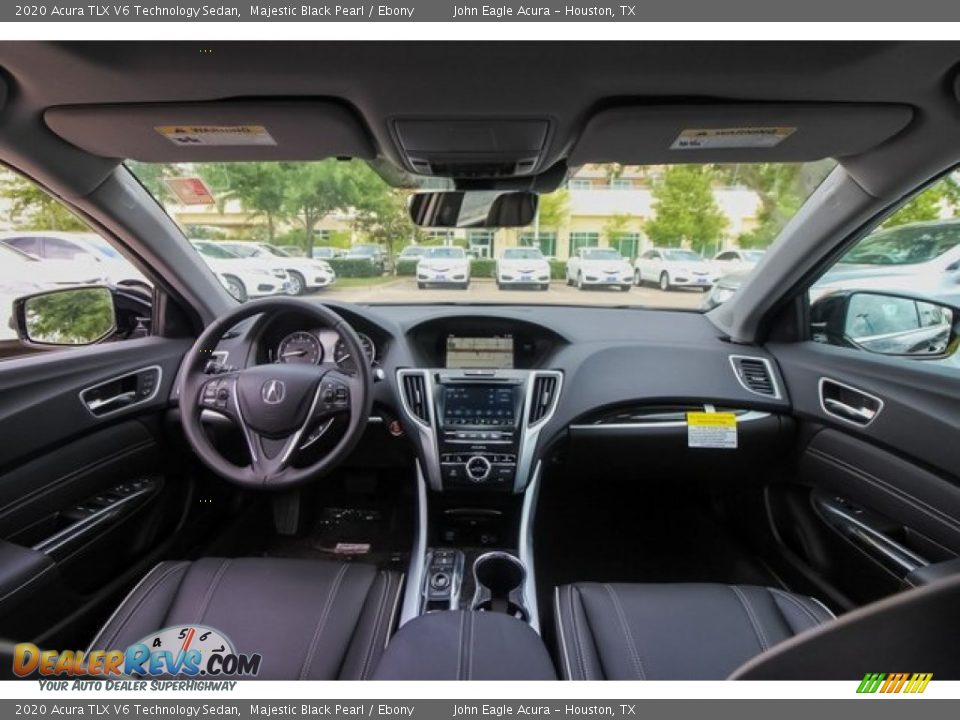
{"x":44,"y":248}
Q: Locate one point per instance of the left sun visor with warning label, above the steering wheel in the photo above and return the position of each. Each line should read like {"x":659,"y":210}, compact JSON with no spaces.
{"x":222,"y":131}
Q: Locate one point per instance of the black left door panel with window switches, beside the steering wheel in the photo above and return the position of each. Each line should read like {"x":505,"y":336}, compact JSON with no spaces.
{"x":85,"y":504}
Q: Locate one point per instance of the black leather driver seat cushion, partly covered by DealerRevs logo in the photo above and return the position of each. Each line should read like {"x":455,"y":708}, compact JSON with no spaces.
{"x":309,"y":619}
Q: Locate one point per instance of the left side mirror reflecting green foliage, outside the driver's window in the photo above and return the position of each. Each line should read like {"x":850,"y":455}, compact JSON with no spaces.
{"x":67,"y":316}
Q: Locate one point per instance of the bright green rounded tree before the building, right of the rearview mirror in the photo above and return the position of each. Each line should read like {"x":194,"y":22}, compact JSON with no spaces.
{"x":685,"y":210}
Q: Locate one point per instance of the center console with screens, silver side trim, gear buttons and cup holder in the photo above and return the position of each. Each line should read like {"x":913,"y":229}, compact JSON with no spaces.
{"x":478,"y":430}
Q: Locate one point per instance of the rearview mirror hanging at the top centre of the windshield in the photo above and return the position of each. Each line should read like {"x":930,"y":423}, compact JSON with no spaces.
{"x":473,"y":209}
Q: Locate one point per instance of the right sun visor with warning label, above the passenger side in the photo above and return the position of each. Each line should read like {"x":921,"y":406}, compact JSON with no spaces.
{"x":654,"y":135}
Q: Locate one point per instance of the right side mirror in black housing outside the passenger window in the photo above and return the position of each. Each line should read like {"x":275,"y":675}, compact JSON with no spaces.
{"x":886,"y":323}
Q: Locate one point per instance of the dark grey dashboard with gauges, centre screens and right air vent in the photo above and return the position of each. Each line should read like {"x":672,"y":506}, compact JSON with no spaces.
{"x":482,"y":392}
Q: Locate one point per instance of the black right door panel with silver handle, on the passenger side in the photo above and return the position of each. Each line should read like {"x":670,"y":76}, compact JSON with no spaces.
{"x":875,"y":492}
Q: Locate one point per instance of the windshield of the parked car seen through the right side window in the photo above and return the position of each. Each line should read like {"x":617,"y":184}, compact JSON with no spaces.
{"x":906,"y":245}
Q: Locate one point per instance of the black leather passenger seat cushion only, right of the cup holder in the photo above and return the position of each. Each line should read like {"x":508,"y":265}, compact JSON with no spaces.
{"x":673,"y":631}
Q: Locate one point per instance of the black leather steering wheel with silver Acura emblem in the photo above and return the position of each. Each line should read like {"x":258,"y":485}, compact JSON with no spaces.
{"x":275,"y":405}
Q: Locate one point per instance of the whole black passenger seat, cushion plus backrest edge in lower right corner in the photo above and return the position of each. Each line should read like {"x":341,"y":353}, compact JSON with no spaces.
{"x":713,"y":632}
